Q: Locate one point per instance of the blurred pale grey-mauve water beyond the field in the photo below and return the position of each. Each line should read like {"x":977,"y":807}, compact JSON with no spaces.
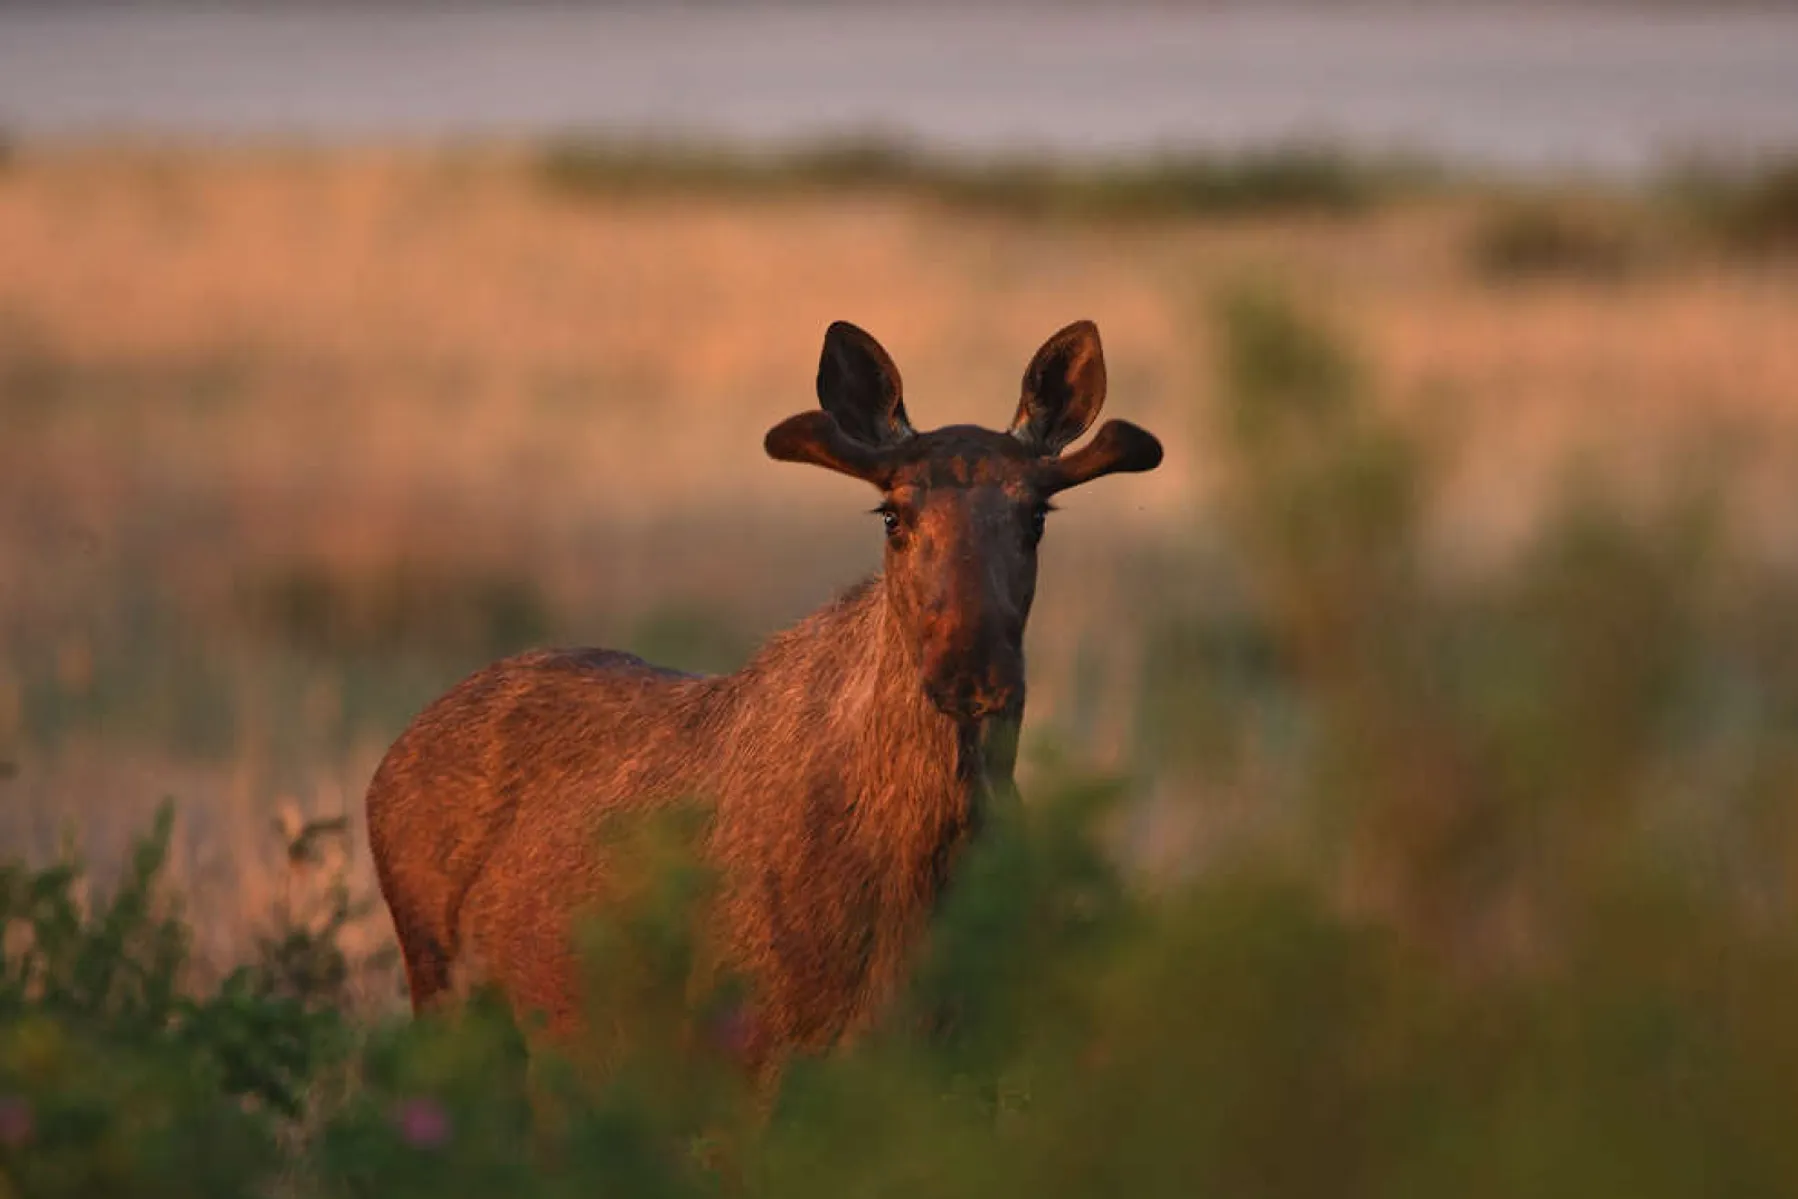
{"x":1594,"y":89}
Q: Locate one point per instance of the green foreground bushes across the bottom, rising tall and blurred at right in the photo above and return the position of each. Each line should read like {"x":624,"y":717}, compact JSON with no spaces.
{"x":1515,"y":916}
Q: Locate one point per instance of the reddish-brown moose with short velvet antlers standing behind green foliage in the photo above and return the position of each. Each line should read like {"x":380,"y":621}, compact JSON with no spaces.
{"x":846,"y":767}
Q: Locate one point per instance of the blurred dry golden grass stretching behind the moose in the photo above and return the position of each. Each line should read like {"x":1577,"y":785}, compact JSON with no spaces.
{"x":224,"y":364}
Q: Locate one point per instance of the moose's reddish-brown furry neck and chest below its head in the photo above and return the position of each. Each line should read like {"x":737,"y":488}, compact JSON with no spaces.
{"x":864,"y":797}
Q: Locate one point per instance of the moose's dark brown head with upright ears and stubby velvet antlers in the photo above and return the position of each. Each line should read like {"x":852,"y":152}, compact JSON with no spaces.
{"x":963,"y":506}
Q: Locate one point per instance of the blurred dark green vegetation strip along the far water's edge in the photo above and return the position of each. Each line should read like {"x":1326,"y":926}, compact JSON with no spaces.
{"x":1749,"y":208}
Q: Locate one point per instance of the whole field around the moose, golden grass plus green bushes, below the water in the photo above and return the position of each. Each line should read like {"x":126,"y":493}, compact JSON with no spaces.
{"x":1438,"y":695}
